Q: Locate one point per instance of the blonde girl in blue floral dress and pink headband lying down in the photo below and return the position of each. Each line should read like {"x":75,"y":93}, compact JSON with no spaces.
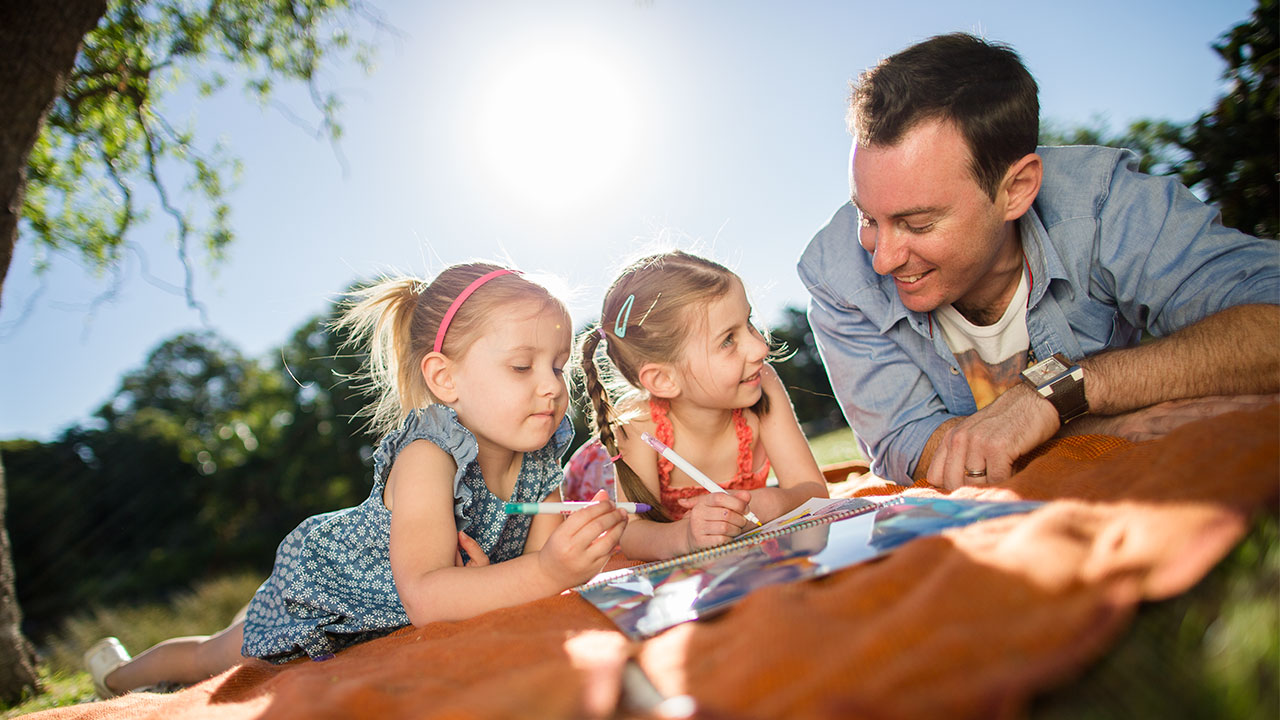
{"x":469,"y":391}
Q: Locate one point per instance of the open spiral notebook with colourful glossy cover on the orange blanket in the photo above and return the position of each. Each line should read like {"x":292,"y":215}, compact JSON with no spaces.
{"x":815,"y":540}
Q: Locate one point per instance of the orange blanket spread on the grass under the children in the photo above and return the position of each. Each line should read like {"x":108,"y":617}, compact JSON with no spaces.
{"x":967,"y":625}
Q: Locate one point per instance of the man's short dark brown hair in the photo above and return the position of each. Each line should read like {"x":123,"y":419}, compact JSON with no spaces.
{"x":981,"y":86}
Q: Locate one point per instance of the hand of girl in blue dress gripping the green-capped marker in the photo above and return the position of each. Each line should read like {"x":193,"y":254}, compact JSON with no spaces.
{"x":580,"y":546}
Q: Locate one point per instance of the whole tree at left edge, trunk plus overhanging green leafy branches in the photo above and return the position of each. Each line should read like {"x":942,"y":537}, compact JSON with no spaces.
{"x":84,"y":133}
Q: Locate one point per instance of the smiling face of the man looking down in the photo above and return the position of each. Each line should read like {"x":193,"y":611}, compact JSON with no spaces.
{"x":927,"y":221}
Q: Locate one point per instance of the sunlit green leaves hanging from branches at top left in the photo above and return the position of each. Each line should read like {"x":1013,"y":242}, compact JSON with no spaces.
{"x":108,"y":131}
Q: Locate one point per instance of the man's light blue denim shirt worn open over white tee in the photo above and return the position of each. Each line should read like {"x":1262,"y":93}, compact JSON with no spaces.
{"x":1112,"y":253}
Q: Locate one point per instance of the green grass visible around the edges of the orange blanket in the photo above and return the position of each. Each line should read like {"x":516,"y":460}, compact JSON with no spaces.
{"x":1212,"y":653}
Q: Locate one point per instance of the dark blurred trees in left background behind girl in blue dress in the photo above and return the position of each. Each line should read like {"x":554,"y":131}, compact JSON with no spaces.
{"x":200,"y":463}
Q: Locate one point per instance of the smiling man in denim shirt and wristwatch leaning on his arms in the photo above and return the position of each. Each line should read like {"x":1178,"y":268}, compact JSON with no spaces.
{"x":968,"y":256}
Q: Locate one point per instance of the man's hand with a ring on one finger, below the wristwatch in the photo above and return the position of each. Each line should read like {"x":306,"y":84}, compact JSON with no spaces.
{"x":982,"y":448}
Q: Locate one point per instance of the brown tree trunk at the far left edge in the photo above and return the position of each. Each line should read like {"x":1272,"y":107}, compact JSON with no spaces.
{"x":39,"y":43}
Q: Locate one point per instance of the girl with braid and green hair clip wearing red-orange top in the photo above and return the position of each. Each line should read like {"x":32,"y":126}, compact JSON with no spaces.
{"x":694,"y":375}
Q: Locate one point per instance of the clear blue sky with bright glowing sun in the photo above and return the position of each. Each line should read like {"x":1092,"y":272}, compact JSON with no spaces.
{"x":566,"y":138}
